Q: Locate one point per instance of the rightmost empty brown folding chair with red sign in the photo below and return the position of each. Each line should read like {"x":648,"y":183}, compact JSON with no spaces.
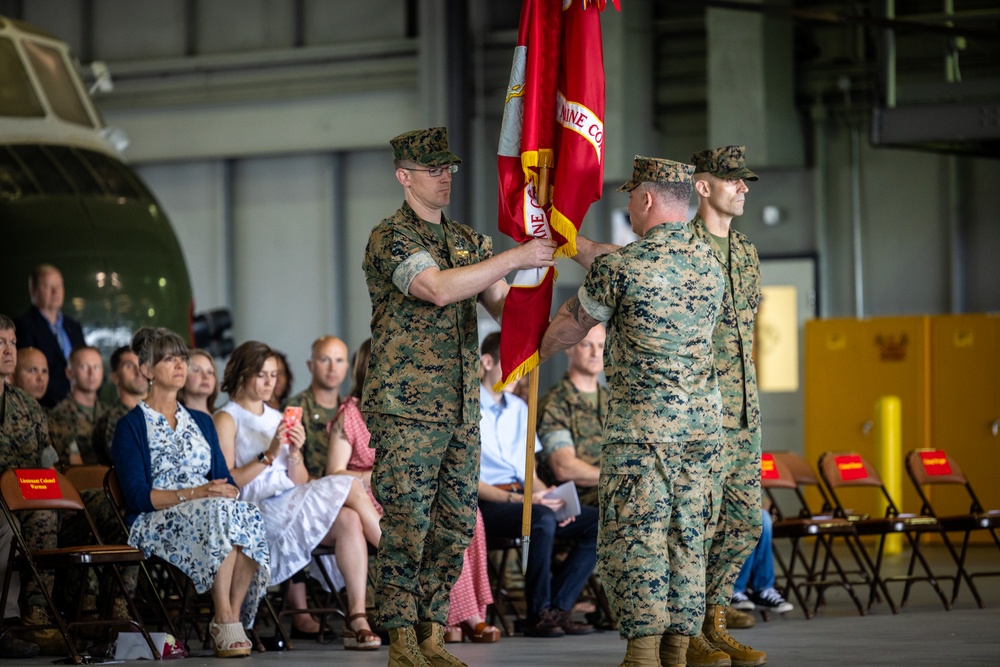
{"x":933,"y":467}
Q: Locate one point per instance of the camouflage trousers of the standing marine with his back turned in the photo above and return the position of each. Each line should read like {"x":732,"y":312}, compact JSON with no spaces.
{"x":654,"y":513}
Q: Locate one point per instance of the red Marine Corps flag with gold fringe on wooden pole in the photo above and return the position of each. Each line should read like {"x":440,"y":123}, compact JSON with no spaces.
{"x":553,"y":115}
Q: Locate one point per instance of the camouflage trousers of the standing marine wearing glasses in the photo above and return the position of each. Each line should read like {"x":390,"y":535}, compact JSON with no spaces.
{"x":426,"y":478}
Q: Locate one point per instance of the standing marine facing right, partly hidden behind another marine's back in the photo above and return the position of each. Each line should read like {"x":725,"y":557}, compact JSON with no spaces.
{"x":736,"y":499}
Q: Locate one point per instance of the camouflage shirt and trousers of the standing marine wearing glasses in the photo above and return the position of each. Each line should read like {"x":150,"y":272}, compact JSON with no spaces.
{"x":421,"y":401}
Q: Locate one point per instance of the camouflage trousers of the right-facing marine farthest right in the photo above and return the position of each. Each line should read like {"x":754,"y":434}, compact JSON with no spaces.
{"x":735,"y":512}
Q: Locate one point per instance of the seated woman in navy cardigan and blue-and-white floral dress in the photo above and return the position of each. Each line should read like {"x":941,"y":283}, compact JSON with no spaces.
{"x":181,"y":502}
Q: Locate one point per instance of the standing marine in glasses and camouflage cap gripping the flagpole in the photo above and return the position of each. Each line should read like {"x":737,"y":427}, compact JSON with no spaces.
{"x":421,"y":395}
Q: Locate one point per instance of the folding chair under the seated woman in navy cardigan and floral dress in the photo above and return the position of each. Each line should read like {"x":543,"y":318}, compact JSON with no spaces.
{"x":175,"y":589}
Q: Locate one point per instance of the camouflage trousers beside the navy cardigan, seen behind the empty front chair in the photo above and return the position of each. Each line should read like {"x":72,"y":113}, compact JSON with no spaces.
{"x":76,"y":531}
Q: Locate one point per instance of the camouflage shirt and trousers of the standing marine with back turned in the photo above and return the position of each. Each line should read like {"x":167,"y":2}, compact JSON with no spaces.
{"x":660,"y":298}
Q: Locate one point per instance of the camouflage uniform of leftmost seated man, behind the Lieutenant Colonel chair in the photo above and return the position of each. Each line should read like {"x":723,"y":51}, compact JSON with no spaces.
{"x":24,"y":437}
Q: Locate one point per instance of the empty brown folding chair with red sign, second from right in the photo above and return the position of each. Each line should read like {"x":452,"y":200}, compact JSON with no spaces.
{"x":850,"y":470}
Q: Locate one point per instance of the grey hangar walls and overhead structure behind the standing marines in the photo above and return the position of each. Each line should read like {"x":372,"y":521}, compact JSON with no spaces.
{"x":263,"y":125}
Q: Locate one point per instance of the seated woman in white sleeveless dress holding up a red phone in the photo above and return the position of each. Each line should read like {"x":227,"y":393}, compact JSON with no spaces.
{"x":264,"y":457}
